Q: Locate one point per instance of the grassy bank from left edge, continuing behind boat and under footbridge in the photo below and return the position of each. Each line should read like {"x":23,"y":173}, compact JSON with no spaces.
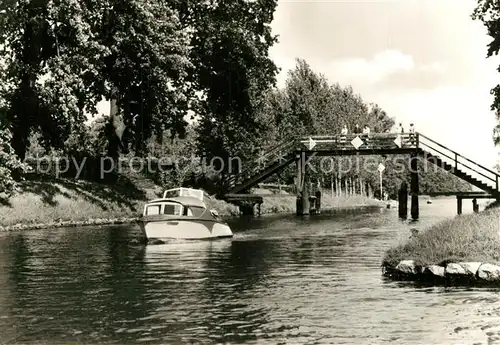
{"x":64,"y":203}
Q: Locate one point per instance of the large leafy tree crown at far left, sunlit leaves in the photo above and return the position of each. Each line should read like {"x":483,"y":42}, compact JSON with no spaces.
{"x":64,"y":56}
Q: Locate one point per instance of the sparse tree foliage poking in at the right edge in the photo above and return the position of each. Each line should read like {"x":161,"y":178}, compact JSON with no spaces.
{"x":488,"y":12}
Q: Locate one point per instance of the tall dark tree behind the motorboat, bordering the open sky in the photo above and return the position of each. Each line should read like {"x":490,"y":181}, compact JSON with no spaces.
{"x":232,"y":69}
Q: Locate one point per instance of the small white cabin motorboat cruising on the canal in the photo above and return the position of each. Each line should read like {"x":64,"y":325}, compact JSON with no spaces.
{"x":182,"y":214}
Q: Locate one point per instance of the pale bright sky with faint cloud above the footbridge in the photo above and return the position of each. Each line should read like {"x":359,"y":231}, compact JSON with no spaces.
{"x":422,"y":61}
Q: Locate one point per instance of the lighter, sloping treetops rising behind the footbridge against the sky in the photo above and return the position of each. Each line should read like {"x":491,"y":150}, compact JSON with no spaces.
{"x":309,"y":104}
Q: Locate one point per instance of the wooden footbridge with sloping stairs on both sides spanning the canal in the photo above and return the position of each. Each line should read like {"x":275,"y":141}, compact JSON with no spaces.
{"x":300,"y":150}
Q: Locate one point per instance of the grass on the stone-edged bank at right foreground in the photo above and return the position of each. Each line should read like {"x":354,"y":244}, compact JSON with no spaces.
{"x":471,"y":237}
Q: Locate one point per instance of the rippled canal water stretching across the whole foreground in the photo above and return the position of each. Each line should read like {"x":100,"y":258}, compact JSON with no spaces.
{"x":280,"y":280}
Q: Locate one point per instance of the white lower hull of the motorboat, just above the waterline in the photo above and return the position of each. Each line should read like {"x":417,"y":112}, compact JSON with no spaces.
{"x":186,"y":229}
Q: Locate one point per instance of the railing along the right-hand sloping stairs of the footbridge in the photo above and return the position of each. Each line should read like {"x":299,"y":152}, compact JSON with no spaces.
{"x":459,"y":161}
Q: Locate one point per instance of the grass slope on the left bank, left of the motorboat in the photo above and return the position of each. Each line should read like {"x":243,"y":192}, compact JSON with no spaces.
{"x":49,"y":201}
